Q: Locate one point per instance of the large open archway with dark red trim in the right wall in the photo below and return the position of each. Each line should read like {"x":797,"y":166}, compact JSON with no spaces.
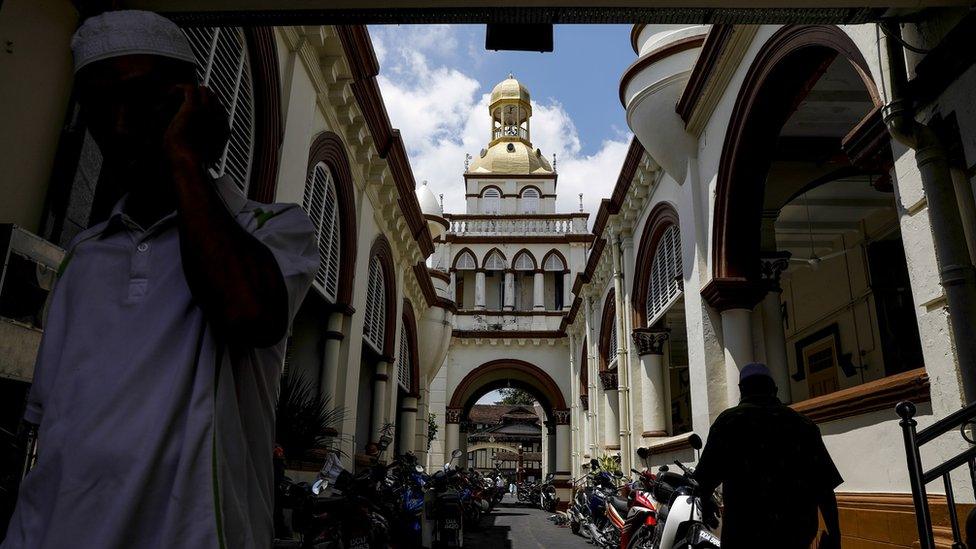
{"x":806,"y":224}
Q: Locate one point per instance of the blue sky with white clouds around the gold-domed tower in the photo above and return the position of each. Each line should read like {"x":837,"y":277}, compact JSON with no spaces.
{"x":435,"y":80}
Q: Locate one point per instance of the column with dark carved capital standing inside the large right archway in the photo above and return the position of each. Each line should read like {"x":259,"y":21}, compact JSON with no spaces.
{"x":773,"y":331}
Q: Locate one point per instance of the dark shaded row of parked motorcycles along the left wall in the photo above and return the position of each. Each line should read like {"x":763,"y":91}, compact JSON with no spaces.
{"x":393,"y":505}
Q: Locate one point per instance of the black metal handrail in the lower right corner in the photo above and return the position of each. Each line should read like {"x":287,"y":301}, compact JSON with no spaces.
{"x":919,"y":477}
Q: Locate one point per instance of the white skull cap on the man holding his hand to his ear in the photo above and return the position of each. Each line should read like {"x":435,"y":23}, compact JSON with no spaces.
{"x":128,"y":32}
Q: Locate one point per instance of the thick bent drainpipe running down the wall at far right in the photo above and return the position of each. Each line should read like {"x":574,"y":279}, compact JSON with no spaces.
{"x":956,"y":271}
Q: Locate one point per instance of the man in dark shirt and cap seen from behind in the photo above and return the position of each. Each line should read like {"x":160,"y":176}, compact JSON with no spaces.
{"x":774,"y":469}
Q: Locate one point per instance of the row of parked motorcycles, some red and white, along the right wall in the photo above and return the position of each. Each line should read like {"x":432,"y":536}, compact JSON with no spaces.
{"x":653,"y":510}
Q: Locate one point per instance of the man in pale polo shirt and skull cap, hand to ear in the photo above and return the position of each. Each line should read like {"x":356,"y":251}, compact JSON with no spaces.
{"x":156,"y":381}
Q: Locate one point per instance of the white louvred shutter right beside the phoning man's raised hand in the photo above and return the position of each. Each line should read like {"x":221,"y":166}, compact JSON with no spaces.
{"x":224,"y":67}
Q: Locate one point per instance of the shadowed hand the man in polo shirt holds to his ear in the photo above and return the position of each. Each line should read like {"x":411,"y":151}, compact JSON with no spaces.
{"x":199,"y":130}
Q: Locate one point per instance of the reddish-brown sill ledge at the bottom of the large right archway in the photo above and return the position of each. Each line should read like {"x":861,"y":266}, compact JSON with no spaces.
{"x":881,"y":394}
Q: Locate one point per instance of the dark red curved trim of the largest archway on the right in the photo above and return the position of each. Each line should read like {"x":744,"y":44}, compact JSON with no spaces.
{"x":784,"y":70}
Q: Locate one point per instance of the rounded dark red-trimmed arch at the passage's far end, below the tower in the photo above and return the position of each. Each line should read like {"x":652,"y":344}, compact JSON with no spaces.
{"x":515,"y":373}
